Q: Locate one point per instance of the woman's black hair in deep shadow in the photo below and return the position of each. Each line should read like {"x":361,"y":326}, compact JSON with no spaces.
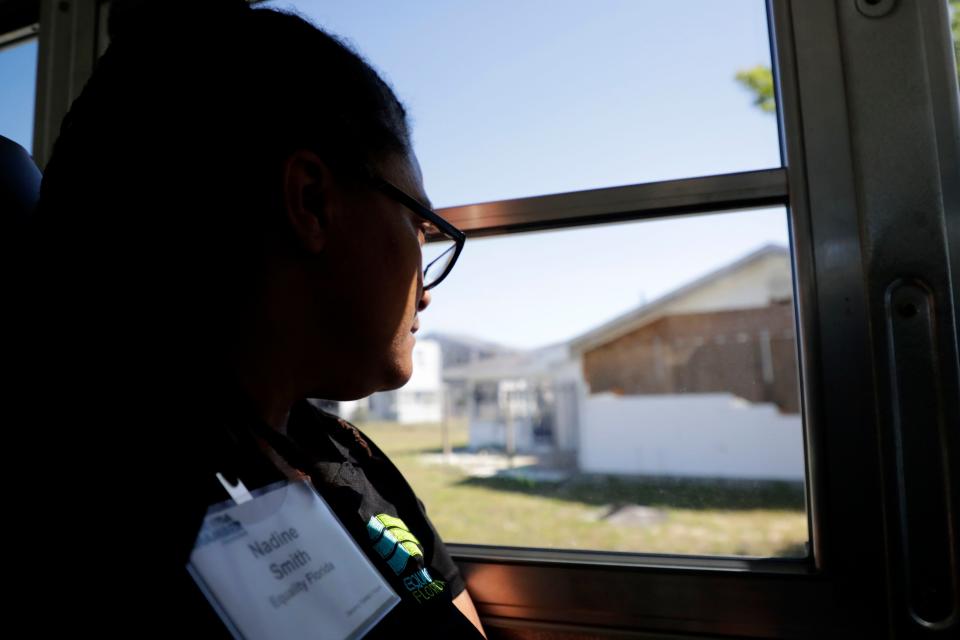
{"x":166,"y":177}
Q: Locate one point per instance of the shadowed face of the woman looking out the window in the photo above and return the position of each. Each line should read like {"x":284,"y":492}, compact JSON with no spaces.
{"x":375,"y":257}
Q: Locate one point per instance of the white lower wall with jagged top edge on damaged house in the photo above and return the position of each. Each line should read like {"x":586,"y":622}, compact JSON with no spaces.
{"x":709,"y":435}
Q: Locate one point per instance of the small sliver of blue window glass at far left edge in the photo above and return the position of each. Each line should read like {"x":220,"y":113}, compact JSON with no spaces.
{"x":18,"y":77}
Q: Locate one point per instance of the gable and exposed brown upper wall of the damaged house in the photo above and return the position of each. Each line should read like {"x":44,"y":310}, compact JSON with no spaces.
{"x":729,"y":331}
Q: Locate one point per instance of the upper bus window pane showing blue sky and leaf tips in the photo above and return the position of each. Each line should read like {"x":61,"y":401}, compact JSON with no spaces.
{"x":512,"y":99}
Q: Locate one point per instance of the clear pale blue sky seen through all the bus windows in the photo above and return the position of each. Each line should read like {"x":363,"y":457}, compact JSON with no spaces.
{"x":527,"y":97}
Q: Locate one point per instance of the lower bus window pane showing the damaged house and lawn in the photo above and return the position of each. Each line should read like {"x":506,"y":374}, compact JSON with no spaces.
{"x":624,"y":387}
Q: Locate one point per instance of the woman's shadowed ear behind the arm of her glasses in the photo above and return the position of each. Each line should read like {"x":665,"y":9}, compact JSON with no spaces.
{"x":306,"y":189}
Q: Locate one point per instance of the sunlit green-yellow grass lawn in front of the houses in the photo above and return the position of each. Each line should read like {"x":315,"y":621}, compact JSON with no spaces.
{"x":699,"y":516}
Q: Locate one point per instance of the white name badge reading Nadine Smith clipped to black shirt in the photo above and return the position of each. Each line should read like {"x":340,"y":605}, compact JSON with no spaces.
{"x":282,"y":566}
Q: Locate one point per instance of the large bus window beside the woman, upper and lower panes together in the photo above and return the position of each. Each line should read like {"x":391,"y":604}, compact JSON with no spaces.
{"x":628,"y":387}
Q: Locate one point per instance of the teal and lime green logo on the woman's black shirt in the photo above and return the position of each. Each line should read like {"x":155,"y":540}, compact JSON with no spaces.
{"x":400,"y":549}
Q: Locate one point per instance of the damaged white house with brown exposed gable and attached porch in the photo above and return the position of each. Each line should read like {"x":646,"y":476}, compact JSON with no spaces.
{"x":702,"y":381}
